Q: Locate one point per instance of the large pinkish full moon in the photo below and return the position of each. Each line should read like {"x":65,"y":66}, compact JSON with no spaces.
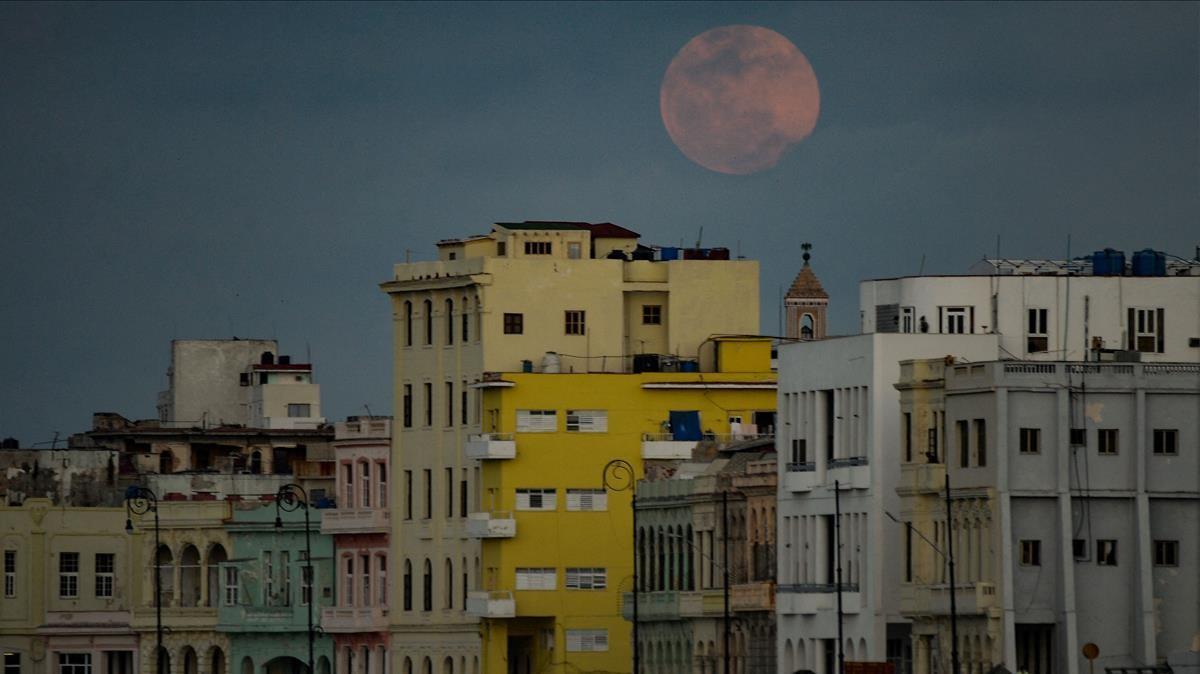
{"x":737,"y":98}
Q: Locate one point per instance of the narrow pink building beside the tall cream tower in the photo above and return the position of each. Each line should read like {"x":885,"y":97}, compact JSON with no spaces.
{"x":359,"y":525}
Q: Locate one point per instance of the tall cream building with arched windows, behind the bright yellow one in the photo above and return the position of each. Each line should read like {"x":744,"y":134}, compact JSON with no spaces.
{"x":535,"y":297}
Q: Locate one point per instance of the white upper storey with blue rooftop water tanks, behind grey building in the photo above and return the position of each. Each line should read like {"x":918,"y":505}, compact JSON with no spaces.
{"x":1046,"y":310}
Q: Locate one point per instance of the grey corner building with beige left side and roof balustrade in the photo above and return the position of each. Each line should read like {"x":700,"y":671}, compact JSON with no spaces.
{"x":1069,"y":479}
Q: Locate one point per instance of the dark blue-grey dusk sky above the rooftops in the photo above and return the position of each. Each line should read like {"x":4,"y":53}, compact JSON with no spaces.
{"x":212,"y":171}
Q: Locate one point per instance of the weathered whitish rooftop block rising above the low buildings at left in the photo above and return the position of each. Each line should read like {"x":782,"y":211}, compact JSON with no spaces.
{"x":214,"y":383}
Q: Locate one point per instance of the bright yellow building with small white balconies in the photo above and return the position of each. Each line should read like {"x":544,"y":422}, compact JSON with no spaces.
{"x":557,"y":547}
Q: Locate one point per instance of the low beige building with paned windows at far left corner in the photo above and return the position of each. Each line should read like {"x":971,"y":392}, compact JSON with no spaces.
{"x":69,"y":591}
